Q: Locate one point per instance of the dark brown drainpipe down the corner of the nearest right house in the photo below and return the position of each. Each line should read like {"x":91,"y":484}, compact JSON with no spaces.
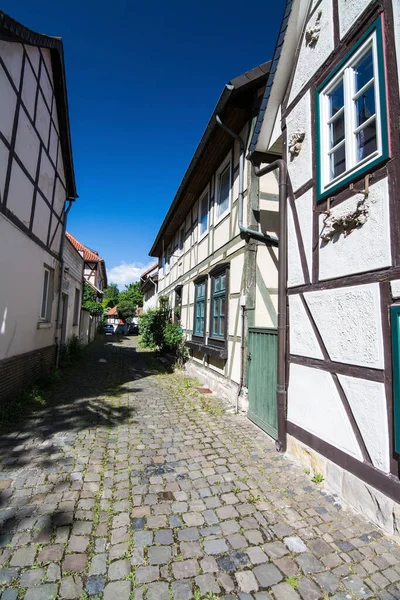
{"x":281,"y":391}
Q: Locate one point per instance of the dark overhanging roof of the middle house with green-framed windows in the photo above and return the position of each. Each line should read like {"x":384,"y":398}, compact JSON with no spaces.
{"x":236,"y":86}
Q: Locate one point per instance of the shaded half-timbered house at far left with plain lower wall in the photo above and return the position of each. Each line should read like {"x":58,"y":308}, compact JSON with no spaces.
{"x":37,"y":187}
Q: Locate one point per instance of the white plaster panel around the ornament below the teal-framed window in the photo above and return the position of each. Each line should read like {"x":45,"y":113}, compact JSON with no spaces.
{"x":366,"y":248}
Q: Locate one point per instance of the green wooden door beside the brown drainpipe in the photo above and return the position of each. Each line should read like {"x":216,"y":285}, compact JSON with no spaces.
{"x":262,"y":363}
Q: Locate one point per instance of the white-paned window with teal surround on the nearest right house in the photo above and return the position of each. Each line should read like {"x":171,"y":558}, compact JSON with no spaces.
{"x":351,"y":115}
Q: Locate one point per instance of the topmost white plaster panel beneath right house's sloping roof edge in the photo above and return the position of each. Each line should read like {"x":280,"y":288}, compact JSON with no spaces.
{"x":312,"y":57}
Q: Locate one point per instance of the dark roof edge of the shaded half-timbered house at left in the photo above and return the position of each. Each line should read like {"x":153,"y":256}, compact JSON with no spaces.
{"x":15,"y":32}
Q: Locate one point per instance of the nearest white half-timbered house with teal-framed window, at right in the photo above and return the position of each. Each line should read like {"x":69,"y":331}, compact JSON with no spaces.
{"x":332,"y":98}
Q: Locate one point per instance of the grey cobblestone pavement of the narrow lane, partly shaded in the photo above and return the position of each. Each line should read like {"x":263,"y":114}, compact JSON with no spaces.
{"x":134,"y":486}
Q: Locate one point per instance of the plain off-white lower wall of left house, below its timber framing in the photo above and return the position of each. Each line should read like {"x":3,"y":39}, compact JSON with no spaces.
{"x":22,"y":270}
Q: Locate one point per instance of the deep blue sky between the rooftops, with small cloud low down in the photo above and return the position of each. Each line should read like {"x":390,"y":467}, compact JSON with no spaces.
{"x":143,"y":79}
